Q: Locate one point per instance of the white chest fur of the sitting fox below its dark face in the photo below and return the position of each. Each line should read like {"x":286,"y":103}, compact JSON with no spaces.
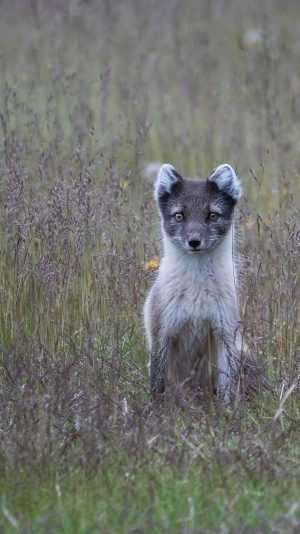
{"x":196,"y":289}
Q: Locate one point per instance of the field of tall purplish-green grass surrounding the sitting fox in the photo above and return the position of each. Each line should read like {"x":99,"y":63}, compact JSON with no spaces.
{"x":90,"y":91}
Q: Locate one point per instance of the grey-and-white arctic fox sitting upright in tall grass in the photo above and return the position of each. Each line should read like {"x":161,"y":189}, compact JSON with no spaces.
{"x":191,"y":313}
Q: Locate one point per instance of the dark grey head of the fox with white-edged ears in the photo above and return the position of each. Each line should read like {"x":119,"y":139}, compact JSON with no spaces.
{"x":196,"y":216}
